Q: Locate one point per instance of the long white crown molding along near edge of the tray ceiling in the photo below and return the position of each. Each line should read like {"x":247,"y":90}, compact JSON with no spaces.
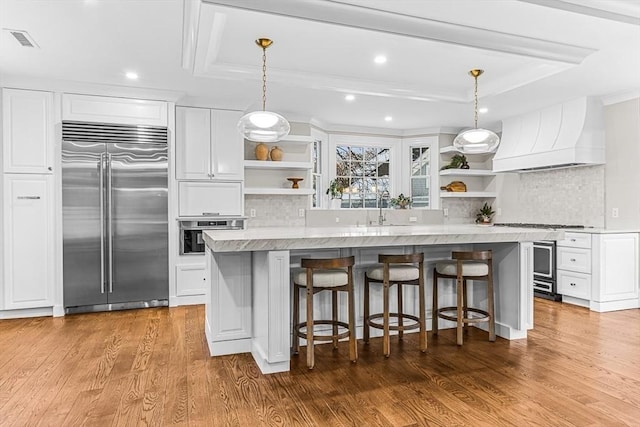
{"x":411,"y":26}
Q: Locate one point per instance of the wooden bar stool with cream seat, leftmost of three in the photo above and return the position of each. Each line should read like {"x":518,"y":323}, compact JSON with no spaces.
{"x":317,"y":275}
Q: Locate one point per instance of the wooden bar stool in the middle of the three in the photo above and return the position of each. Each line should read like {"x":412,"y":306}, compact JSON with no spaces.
{"x":400,"y":270}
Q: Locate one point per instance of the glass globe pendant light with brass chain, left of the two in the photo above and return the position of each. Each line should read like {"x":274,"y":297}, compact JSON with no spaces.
{"x":263,"y":126}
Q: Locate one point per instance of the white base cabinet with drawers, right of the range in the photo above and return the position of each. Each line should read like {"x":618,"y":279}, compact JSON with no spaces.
{"x":599,"y":271}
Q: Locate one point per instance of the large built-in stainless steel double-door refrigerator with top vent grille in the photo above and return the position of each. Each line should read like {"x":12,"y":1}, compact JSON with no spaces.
{"x":114,"y":200}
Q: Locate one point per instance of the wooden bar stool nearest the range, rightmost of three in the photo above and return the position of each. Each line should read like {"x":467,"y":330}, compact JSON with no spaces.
{"x":463,"y":266}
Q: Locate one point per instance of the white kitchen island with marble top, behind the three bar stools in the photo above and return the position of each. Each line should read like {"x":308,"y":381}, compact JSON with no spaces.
{"x":249,"y":292}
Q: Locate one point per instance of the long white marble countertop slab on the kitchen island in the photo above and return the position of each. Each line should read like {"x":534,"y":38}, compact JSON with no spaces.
{"x":287,"y":238}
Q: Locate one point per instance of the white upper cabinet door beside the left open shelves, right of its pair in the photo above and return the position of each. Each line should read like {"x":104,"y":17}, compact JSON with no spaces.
{"x":227,"y":153}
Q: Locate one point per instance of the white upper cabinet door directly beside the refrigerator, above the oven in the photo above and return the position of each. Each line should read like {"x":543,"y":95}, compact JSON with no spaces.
{"x":193,"y":143}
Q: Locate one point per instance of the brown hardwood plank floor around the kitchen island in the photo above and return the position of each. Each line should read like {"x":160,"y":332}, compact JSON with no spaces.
{"x":151,"y":367}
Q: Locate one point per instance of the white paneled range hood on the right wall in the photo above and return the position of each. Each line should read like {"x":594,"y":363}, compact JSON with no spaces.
{"x":565,"y":135}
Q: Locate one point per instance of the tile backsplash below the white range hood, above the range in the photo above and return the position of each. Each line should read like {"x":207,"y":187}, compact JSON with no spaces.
{"x":572,"y":196}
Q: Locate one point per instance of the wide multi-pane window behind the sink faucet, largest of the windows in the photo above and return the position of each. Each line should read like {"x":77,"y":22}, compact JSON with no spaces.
{"x":364,"y":172}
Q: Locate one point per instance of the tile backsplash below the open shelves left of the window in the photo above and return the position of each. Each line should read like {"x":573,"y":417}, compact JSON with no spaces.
{"x":275,"y":210}
